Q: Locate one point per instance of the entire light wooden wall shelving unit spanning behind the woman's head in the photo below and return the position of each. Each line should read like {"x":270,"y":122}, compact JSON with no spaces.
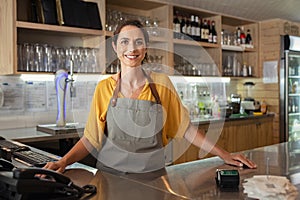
{"x":209,"y":58}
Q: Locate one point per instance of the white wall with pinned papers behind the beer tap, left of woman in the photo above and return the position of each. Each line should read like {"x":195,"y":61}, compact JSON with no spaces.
{"x":32,"y":100}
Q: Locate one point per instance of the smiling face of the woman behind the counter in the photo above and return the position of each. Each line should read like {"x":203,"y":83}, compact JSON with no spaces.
{"x":130,"y":46}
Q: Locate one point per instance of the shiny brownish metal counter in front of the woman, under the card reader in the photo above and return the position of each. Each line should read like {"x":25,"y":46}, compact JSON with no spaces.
{"x":193,"y":180}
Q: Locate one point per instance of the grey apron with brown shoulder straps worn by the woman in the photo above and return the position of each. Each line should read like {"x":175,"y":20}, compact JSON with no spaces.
{"x":133,"y":141}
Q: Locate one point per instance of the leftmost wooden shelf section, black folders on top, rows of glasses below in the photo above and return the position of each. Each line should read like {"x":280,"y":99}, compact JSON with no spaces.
{"x":20,"y":31}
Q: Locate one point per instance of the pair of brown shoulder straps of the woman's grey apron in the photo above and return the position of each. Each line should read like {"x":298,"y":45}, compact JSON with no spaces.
{"x":151,"y":85}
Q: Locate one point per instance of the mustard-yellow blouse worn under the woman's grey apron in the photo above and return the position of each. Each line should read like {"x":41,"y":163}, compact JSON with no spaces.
{"x":176,"y":116}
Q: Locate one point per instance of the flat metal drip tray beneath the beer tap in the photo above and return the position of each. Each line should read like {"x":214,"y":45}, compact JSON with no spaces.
{"x":55,"y":130}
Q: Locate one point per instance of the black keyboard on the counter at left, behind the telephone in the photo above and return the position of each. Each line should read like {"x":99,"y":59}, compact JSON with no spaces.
{"x":32,"y":158}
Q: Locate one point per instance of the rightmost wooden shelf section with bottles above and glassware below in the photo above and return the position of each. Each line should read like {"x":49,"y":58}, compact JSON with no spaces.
{"x":247,"y":55}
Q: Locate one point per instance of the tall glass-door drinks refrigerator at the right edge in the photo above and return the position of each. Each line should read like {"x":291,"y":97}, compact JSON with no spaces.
{"x":290,"y":99}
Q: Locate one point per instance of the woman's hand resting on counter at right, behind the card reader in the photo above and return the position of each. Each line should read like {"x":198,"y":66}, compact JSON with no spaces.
{"x":238,"y":160}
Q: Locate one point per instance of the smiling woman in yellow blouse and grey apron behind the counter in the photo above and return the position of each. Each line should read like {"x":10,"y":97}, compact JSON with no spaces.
{"x":135,"y":113}
